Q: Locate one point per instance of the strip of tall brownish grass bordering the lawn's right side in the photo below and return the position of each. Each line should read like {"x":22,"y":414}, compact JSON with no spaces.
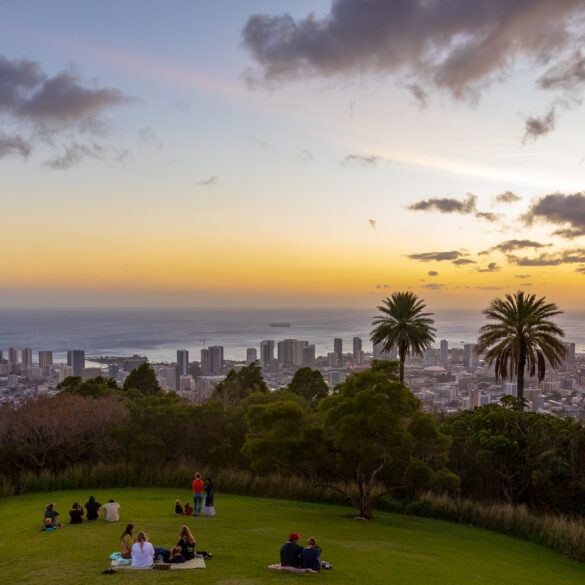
{"x":560,"y":533}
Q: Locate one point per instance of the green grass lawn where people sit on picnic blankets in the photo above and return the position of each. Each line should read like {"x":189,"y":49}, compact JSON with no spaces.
{"x":246,"y":536}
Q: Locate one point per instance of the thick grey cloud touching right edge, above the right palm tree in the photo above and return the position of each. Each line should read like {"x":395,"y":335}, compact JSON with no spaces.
{"x":559,"y":209}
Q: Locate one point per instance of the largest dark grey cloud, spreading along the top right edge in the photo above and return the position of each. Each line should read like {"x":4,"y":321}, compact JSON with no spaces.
{"x":457,"y":45}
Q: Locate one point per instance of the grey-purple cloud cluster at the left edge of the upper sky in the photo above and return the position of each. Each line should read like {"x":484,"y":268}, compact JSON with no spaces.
{"x":42,"y":107}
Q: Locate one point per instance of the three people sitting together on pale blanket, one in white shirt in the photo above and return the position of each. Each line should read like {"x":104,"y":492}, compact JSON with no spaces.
{"x":143,"y":553}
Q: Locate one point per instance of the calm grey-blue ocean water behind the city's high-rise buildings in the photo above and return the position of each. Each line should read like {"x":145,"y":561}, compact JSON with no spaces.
{"x":158,"y":333}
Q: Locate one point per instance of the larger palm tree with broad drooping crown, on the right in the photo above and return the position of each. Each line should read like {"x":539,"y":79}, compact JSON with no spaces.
{"x":521,"y":336}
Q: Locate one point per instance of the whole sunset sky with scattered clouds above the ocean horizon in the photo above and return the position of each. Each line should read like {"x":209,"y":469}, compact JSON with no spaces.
{"x":291,"y":153}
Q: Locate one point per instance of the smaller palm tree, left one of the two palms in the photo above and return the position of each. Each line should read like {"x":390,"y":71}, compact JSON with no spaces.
{"x":404,"y":325}
